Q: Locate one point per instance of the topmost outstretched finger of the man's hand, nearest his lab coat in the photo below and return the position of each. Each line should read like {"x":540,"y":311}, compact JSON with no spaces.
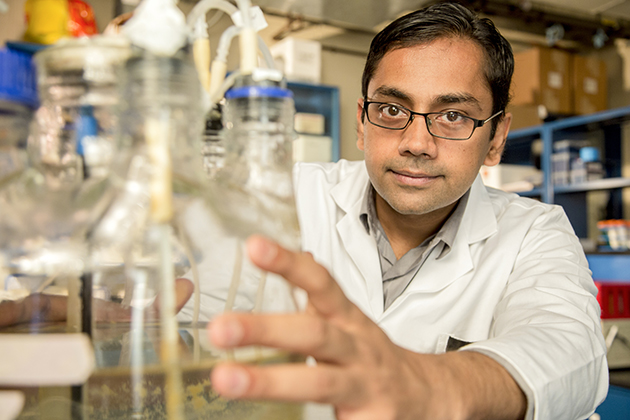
{"x":301,"y":270}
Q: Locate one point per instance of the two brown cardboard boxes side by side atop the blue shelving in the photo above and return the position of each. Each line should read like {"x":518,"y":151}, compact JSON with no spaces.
{"x":553,"y":82}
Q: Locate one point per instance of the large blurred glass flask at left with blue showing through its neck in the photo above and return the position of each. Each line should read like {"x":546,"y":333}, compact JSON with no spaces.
{"x":47,"y":211}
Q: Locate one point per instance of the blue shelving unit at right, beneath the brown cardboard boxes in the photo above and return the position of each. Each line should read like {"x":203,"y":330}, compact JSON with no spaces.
{"x":606,"y":129}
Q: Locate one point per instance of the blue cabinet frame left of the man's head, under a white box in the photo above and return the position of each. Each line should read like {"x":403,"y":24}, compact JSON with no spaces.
{"x":320,"y":99}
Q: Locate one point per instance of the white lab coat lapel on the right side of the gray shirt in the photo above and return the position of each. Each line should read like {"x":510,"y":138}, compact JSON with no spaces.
{"x":478,"y":223}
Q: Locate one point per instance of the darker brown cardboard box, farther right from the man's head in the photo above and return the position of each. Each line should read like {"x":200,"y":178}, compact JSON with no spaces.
{"x":590,"y":85}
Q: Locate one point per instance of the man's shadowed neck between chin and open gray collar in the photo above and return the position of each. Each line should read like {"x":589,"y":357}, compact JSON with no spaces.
{"x":406,"y":232}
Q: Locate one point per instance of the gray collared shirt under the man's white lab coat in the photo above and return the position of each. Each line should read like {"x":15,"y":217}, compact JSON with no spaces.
{"x":397,"y":274}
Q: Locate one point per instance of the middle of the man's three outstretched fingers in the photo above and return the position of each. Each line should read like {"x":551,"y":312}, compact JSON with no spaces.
{"x":297,"y":333}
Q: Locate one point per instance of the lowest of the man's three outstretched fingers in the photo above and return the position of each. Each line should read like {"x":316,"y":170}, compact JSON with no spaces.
{"x":298,"y":382}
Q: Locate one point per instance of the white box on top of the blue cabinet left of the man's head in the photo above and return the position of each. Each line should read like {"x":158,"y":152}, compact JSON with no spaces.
{"x":299,"y":59}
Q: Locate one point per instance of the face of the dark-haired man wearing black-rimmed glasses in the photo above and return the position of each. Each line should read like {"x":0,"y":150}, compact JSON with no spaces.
{"x":412,"y":171}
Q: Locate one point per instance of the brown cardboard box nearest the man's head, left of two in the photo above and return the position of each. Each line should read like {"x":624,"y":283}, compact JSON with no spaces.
{"x":542,"y":76}
